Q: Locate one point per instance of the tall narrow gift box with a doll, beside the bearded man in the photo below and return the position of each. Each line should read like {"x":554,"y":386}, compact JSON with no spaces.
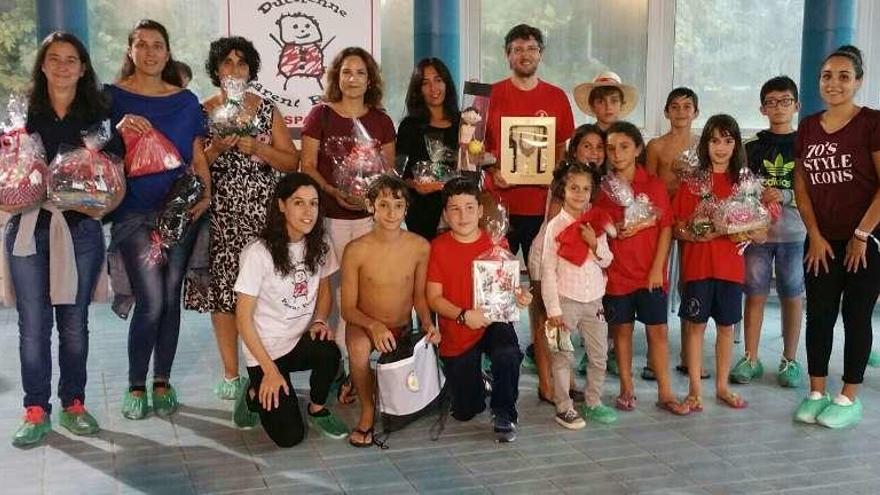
{"x":472,"y":128}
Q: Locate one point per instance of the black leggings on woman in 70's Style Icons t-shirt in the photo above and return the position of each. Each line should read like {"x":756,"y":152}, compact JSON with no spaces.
{"x":853,"y":295}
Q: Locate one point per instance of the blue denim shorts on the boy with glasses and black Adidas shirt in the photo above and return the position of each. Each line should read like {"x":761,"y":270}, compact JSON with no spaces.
{"x":785,"y":259}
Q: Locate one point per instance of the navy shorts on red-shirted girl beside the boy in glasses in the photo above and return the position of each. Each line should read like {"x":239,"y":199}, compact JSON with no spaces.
{"x":712,"y":298}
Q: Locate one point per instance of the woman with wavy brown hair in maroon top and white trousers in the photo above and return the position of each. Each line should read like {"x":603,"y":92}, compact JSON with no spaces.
{"x":353,"y":89}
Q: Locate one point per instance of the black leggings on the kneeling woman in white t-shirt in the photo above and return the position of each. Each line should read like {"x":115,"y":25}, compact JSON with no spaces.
{"x":284,"y":424}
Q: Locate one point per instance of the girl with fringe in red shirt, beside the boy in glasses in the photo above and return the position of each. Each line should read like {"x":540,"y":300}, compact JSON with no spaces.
{"x":712,"y":269}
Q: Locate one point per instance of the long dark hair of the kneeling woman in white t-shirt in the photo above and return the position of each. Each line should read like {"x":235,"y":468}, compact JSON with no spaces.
{"x":274,"y":234}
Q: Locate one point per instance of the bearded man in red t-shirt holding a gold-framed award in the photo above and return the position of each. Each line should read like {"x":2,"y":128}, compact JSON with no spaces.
{"x":523,"y":94}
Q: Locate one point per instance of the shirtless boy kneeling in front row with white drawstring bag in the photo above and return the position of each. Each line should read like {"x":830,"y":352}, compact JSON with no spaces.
{"x":379,"y":292}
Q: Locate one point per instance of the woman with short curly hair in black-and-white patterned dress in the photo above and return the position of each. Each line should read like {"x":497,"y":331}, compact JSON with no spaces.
{"x":244,"y":171}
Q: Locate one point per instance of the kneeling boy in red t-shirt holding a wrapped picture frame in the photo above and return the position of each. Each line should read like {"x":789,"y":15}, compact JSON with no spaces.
{"x":466,"y":333}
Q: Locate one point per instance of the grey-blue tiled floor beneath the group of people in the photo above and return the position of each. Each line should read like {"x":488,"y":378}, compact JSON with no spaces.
{"x":758,"y":450}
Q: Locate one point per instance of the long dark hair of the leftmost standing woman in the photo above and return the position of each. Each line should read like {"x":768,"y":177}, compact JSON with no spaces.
{"x":88,"y":104}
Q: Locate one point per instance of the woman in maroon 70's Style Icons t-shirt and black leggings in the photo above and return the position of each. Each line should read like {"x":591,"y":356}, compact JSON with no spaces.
{"x":838,"y":195}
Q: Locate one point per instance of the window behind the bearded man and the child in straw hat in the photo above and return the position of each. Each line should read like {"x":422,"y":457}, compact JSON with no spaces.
{"x":582,"y":38}
